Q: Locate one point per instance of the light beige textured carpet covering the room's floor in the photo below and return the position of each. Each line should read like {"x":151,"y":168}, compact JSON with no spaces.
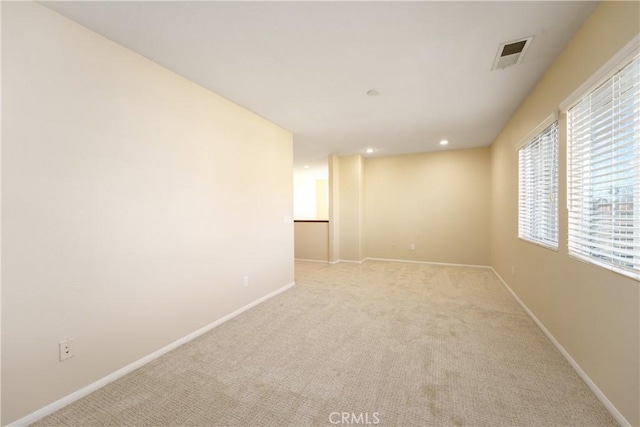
{"x":397,"y":343}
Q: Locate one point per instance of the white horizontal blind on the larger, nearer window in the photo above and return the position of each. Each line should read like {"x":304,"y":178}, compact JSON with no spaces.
{"x":604,"y":173}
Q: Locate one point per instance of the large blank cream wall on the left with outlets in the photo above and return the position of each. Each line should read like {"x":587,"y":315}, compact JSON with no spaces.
{"x":133,"y":203}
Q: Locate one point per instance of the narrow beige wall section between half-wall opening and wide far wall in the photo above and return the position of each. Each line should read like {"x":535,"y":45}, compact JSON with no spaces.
{"x":349,"y":208}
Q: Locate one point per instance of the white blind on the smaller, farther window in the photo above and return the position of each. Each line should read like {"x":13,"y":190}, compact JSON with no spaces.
{"x":538,"y":188}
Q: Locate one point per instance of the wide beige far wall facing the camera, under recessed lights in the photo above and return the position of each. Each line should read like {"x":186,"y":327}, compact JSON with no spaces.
{"x":439,"y":202}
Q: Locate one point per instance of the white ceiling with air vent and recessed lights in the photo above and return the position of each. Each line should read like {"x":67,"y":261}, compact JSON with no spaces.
{"x":308,"y":65}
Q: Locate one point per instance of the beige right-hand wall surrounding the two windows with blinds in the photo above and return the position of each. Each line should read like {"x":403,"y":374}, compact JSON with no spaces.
{"x":593,"y":313}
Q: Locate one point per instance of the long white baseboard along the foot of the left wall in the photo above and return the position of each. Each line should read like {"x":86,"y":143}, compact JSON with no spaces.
{"x":59,"y":404}
